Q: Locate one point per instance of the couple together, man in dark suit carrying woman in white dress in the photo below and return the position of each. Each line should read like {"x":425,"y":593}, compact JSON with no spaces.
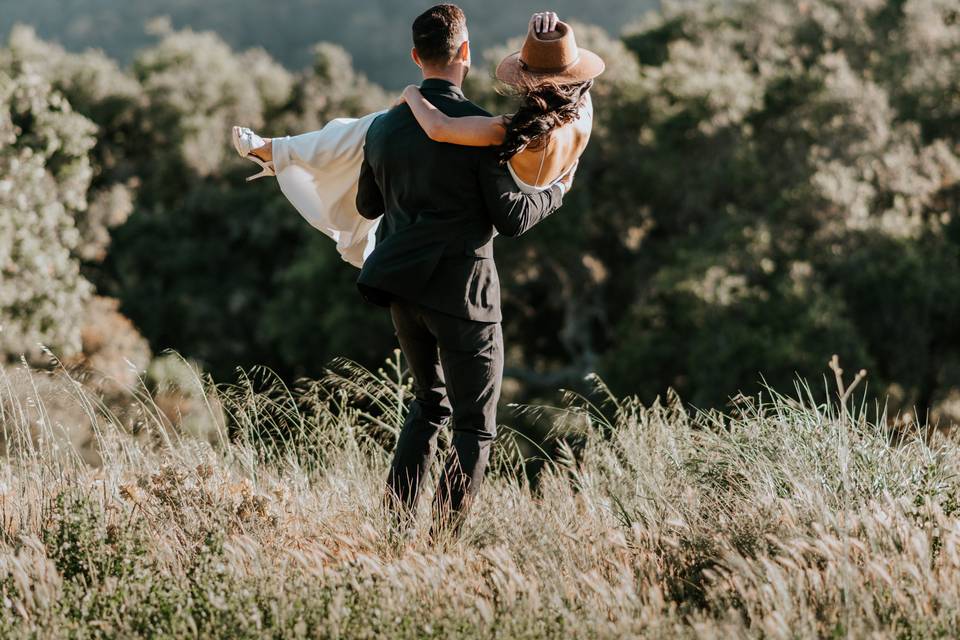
{"x":414,"y":196}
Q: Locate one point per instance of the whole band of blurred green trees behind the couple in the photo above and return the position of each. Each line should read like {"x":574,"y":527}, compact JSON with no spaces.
{"x":768,"y":183}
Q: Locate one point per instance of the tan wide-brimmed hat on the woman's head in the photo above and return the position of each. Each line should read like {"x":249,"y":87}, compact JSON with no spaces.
{"x":550,"y":57}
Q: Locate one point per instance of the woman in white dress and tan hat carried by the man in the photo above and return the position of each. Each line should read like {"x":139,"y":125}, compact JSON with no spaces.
{"x":540,"y":144}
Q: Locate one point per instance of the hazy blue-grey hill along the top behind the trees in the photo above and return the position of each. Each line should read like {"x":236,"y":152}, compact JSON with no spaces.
{"x":375,"y":32}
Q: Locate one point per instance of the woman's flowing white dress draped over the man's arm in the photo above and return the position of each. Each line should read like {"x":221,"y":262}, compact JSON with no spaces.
{"x":318,"y":173}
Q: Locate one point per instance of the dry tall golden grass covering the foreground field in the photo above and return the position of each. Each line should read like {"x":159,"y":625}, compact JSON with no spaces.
{"x":786,"y":520}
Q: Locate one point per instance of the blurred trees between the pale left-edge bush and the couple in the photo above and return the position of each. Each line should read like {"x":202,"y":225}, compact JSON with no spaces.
{"x":224,"y":271}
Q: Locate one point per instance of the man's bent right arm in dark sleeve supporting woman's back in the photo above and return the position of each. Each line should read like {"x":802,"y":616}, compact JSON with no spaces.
{"x":513,"y":212}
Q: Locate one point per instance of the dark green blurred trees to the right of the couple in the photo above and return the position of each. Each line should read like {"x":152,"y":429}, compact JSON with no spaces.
{"x":764,"y":190}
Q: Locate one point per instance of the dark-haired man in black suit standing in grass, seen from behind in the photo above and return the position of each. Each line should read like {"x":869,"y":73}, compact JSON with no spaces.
{"x":433,"y":266}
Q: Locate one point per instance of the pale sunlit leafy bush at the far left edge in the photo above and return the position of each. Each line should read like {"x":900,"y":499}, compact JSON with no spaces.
{"x":44,"y":175}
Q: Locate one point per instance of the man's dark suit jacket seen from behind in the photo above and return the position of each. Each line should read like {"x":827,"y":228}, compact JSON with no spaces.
{"x":441,"y":203}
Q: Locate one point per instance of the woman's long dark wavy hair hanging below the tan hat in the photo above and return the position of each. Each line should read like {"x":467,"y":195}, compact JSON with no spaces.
{"x":543,"y":108}
